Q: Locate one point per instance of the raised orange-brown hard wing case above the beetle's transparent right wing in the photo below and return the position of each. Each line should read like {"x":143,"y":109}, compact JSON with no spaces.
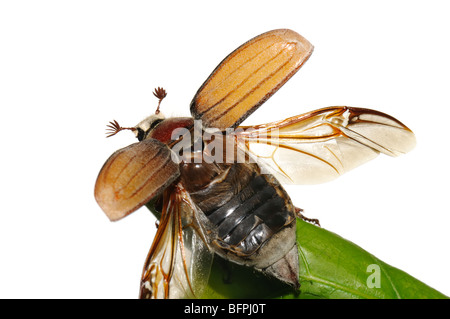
{"x":247,"y":77}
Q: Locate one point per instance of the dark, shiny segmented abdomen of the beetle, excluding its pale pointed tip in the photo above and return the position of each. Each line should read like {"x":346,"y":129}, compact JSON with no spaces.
{"x":247,"y":209}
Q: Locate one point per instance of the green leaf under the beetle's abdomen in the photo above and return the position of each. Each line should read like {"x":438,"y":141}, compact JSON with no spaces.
{"x":330,"y":267}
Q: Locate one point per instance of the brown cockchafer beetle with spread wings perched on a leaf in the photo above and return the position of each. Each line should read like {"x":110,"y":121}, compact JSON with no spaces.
{"x":219,"y":184}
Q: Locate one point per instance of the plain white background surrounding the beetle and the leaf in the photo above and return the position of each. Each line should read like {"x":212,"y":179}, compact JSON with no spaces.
{"x":69,"y":67}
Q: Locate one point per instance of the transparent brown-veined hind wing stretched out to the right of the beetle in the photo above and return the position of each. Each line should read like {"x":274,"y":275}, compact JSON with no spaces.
{"x":321,"y":145}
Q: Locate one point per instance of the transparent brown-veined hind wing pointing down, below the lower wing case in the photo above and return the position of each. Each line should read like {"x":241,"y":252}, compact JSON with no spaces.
{"x":179,"y":259}
